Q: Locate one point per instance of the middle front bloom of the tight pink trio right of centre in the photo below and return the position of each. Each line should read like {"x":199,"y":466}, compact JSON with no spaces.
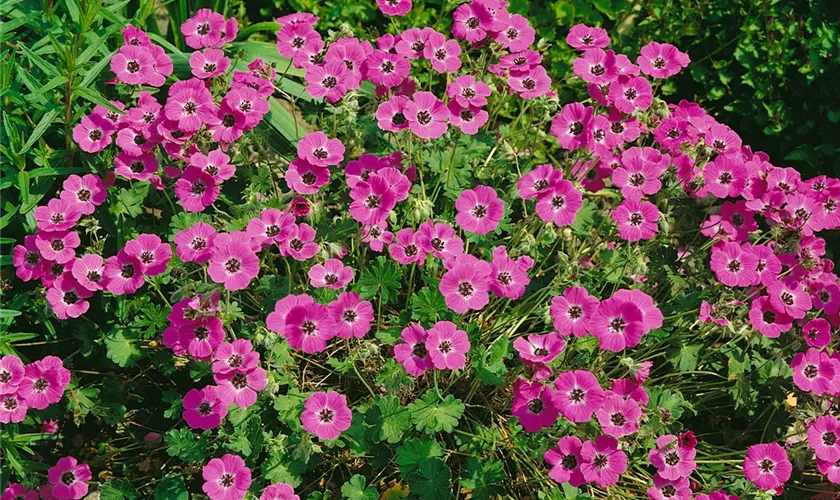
{"x":618,"y":324}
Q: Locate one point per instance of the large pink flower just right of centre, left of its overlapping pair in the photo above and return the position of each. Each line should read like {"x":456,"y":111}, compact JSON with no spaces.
{"x":466,"y":283}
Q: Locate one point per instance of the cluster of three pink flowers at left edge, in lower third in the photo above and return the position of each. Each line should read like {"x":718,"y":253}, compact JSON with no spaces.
{"x":35,"y":386}
